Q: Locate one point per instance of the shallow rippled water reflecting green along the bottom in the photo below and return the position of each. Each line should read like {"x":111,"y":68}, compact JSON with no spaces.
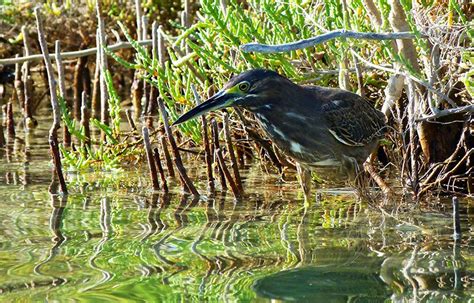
{"x":111,"y":239}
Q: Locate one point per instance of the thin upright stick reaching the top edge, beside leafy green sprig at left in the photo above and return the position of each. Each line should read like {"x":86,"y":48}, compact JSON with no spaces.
{"x":104,"y":112}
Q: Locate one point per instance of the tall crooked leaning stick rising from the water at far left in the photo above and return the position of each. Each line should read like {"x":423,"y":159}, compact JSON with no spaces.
{"x":53,"y":135}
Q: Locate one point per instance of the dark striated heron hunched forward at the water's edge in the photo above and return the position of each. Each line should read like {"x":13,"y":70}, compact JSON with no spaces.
{"x":316,"y":126}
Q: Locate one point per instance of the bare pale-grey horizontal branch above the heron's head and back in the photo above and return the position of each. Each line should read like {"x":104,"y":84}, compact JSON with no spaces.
{"x":305,"y":43}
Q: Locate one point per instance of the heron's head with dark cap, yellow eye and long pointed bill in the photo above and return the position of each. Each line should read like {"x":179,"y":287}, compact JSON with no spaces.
{"x":248,"y":89}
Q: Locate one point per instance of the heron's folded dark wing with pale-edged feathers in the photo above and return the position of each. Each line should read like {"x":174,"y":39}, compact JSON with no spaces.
{"x":351,"y":119}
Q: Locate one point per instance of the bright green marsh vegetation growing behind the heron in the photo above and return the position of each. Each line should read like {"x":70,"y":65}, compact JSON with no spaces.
{"x":207,"y":53}
